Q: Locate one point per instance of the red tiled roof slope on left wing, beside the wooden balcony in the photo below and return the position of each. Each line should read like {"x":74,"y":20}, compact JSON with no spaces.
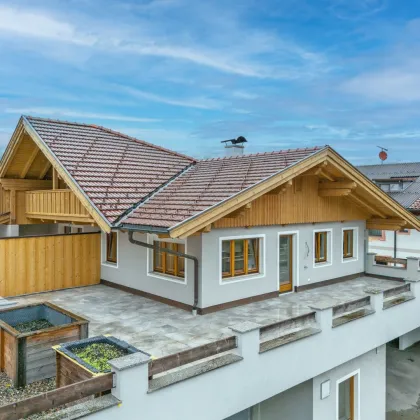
{"x":115,"y":171}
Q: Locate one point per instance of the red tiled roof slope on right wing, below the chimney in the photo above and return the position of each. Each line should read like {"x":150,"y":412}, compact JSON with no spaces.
{"x":208,"y":183}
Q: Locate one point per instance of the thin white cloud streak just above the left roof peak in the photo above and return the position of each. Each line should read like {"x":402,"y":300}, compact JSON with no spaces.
{"x":75,"y":114}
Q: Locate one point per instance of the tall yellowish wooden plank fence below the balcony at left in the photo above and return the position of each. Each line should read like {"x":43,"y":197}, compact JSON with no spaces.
{"x":42,"y":263}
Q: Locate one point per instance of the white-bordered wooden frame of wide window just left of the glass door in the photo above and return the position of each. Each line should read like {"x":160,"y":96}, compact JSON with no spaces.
{"x":260,"y":259}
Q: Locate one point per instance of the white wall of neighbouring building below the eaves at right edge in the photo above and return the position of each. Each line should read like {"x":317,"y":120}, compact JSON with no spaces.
{"x":408,"y":245}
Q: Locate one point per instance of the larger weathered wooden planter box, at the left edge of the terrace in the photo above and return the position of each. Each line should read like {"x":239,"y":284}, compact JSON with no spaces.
{"x":27,"y":357}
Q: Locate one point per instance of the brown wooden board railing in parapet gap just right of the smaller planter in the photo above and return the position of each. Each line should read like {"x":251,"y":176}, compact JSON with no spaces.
{"x":191,"y":355}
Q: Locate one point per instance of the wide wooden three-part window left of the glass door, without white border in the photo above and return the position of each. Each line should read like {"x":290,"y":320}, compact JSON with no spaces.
{"x":240,"y":257}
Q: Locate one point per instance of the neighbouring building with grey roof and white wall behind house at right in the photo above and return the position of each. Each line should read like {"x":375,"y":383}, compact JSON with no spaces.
{"x":402,"y":182}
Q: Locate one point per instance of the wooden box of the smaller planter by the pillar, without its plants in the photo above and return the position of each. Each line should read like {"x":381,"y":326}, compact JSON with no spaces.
{"x":71,"y":368}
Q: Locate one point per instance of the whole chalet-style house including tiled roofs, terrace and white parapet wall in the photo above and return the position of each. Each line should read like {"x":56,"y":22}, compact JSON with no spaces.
{"x":258,"y":262}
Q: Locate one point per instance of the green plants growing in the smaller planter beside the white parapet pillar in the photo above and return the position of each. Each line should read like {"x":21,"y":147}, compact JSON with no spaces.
{"x":98,"y":354}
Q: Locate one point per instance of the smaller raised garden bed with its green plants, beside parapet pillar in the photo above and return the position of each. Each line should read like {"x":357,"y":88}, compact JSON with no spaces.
{"x":88,"y":358}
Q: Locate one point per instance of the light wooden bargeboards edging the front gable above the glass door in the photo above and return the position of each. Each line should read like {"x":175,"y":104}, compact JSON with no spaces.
{"x":324,"y":156}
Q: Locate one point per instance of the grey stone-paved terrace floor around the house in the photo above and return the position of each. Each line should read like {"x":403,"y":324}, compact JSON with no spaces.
{"x":160,"y":329}
